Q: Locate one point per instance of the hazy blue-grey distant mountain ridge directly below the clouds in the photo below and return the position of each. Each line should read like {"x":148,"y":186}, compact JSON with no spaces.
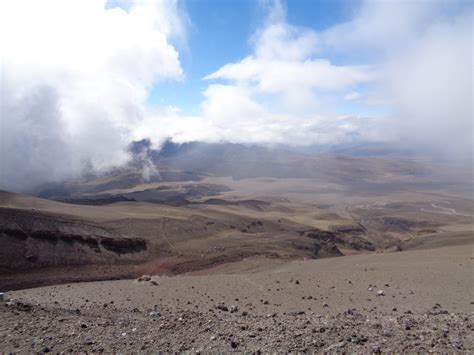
{"x":195,"y":161}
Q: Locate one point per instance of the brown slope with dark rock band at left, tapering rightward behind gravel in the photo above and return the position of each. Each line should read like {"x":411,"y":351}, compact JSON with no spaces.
{"x":46,"y":241}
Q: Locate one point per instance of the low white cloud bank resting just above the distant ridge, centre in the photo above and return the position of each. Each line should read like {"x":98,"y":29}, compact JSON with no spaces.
{"x":230,"y":114}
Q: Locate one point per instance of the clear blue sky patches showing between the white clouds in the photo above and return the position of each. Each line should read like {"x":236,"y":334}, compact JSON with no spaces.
{"x":220,"y":31}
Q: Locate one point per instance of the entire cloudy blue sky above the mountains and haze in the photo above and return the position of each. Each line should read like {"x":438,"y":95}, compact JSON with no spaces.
{"x":81,"y":79}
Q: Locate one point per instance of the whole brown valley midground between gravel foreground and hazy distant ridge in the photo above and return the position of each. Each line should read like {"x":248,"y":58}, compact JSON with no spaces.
{"x":46,"y":241}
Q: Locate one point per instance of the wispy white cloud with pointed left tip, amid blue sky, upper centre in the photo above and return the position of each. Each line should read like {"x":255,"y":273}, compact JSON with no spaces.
{"x":283,"y":64}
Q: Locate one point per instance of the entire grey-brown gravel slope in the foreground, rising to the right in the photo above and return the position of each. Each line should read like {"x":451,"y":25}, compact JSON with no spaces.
{"x":419,"y":301}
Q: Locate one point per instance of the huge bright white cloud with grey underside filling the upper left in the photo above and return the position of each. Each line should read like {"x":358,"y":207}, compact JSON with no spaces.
{"x":75,"y":76}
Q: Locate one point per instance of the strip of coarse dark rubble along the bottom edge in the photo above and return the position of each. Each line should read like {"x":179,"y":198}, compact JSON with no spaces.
{"x":32,"y":328}
